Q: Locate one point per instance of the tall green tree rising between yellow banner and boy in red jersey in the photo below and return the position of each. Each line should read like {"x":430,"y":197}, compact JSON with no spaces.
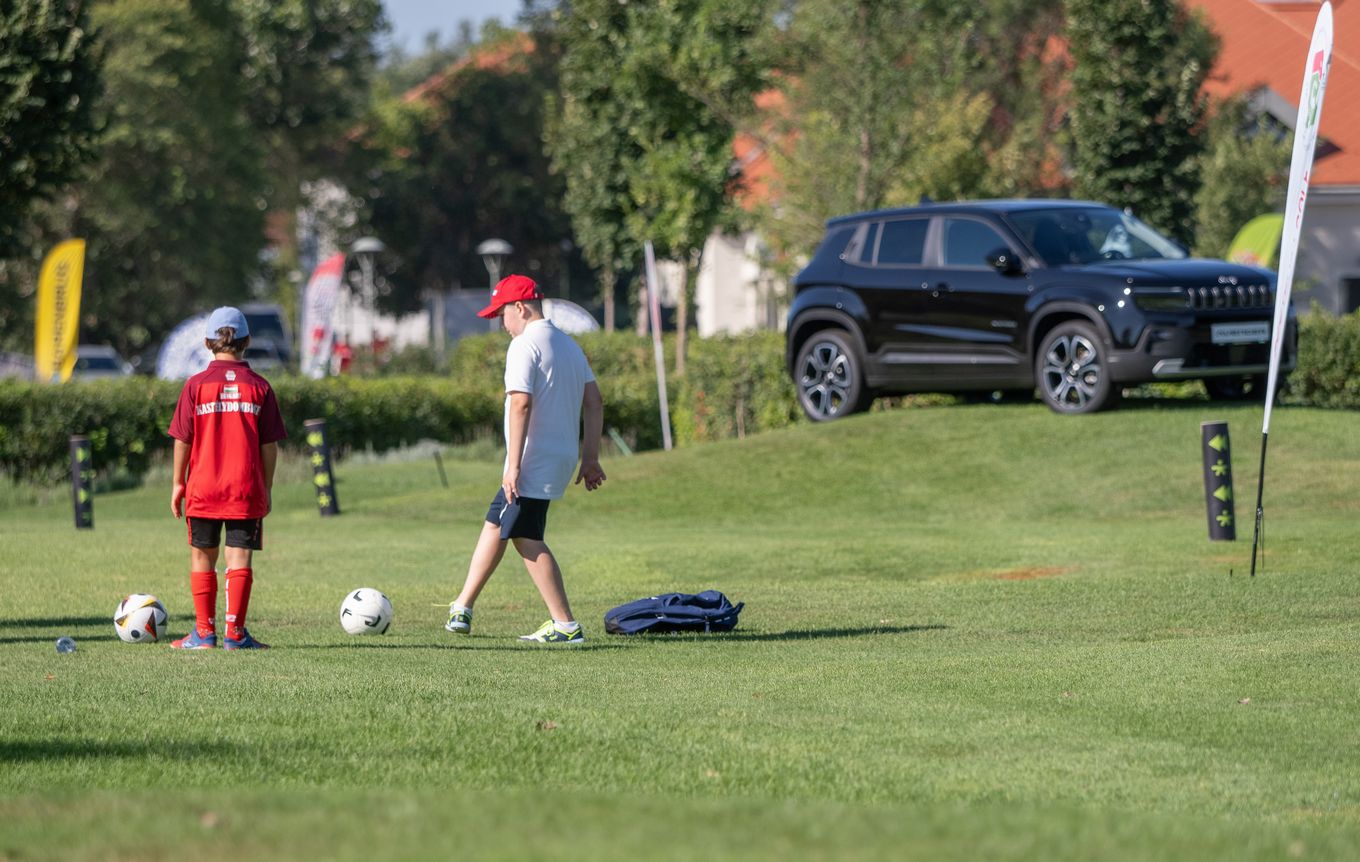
{"x":173,"y":210}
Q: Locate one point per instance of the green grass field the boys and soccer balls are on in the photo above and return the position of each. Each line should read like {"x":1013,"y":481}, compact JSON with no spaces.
{"x":970,"y":633}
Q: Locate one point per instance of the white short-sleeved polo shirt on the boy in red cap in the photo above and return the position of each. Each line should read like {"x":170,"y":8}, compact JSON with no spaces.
{"x":549,"y":365}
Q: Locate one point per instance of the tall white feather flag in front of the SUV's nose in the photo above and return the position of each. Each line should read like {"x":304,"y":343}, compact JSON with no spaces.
{"x":1301,"y":169}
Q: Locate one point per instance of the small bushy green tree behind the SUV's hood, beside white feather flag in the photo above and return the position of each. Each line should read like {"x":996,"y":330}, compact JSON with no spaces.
{"x":1245,"y":173}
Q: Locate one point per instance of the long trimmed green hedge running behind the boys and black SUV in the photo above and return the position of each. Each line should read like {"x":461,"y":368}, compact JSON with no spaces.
{"x":735,"y":385}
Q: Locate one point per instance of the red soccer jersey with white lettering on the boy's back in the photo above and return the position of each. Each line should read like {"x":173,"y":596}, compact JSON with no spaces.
{"x":225,"y":414}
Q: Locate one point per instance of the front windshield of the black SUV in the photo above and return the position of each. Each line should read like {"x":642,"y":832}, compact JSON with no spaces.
{"x":1090,"y":235}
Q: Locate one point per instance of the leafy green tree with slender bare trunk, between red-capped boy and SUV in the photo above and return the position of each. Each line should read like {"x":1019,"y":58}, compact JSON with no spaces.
{"x":663,"y":77}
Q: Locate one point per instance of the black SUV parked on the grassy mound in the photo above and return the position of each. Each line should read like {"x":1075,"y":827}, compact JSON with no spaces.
{"x":1074,"y":298}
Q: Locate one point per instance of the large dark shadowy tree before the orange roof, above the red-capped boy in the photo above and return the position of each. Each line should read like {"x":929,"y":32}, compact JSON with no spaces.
{"x":462,"y":161}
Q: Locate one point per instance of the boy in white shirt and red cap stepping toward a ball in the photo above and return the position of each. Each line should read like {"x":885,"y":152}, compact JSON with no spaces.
{"x":549,"y":390}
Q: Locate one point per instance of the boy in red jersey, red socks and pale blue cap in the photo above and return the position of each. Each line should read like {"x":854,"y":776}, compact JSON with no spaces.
{"x":226,"y":430}
